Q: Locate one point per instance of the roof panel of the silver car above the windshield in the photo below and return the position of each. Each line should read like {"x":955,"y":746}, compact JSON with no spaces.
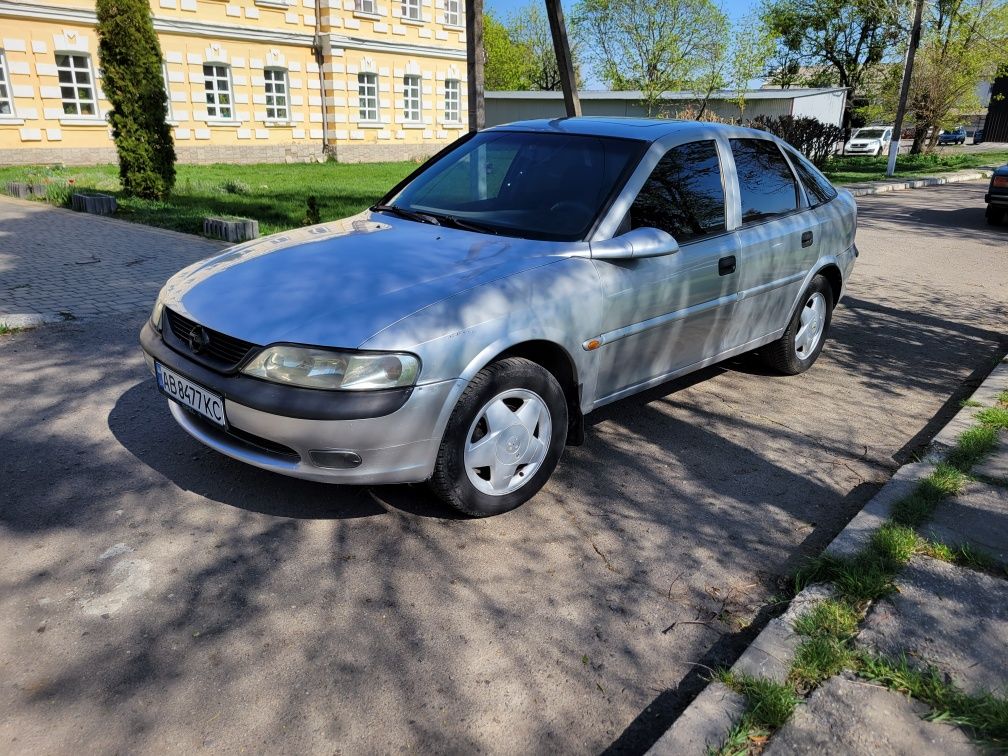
{"x":643,"y":130}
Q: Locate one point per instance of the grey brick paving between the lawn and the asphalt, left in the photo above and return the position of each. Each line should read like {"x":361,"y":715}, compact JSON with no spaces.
{"x":42,"y":246}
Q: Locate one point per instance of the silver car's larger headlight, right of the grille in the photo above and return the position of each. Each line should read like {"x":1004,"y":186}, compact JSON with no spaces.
{"x":327,"y":369}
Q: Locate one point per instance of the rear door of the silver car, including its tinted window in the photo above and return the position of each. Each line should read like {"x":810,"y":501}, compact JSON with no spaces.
{"x":779,"y":240}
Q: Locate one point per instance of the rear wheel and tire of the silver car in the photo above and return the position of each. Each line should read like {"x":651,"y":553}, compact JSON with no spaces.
{"x":797,"y":350}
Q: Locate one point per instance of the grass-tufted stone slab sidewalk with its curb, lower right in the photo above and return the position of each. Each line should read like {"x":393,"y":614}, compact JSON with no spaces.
{"x":905,"y":651}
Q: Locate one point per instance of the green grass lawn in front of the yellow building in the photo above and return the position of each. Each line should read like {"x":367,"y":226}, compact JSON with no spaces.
{"x":275,"y":195}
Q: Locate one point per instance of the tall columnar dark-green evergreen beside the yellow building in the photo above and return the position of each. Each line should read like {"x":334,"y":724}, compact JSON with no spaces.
{"x":132,"y":68}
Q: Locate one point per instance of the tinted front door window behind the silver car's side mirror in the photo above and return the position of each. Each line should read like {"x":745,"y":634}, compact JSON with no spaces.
{"x":685,"y":195}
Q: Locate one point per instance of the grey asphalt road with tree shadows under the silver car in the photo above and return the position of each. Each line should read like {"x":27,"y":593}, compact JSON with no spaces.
{"x":156,"y":597}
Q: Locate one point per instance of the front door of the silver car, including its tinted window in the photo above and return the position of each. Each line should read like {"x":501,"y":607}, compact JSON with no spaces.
{"x":666,"y":314}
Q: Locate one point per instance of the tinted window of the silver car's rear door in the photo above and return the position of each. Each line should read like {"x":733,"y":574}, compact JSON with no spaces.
{"x":767,"y":185}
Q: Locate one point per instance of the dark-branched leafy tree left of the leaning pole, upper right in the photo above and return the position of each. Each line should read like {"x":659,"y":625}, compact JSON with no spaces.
{"x":833,"y":42}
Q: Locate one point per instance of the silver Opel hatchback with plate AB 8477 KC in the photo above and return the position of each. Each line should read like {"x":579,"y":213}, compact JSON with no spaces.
{"x":460,"y":331}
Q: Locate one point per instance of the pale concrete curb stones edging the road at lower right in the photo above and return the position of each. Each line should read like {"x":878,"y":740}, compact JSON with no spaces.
{"x":709,"y":718}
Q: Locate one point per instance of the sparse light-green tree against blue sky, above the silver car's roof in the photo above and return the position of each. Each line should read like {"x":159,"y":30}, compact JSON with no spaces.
{"x":656,"y":47}
